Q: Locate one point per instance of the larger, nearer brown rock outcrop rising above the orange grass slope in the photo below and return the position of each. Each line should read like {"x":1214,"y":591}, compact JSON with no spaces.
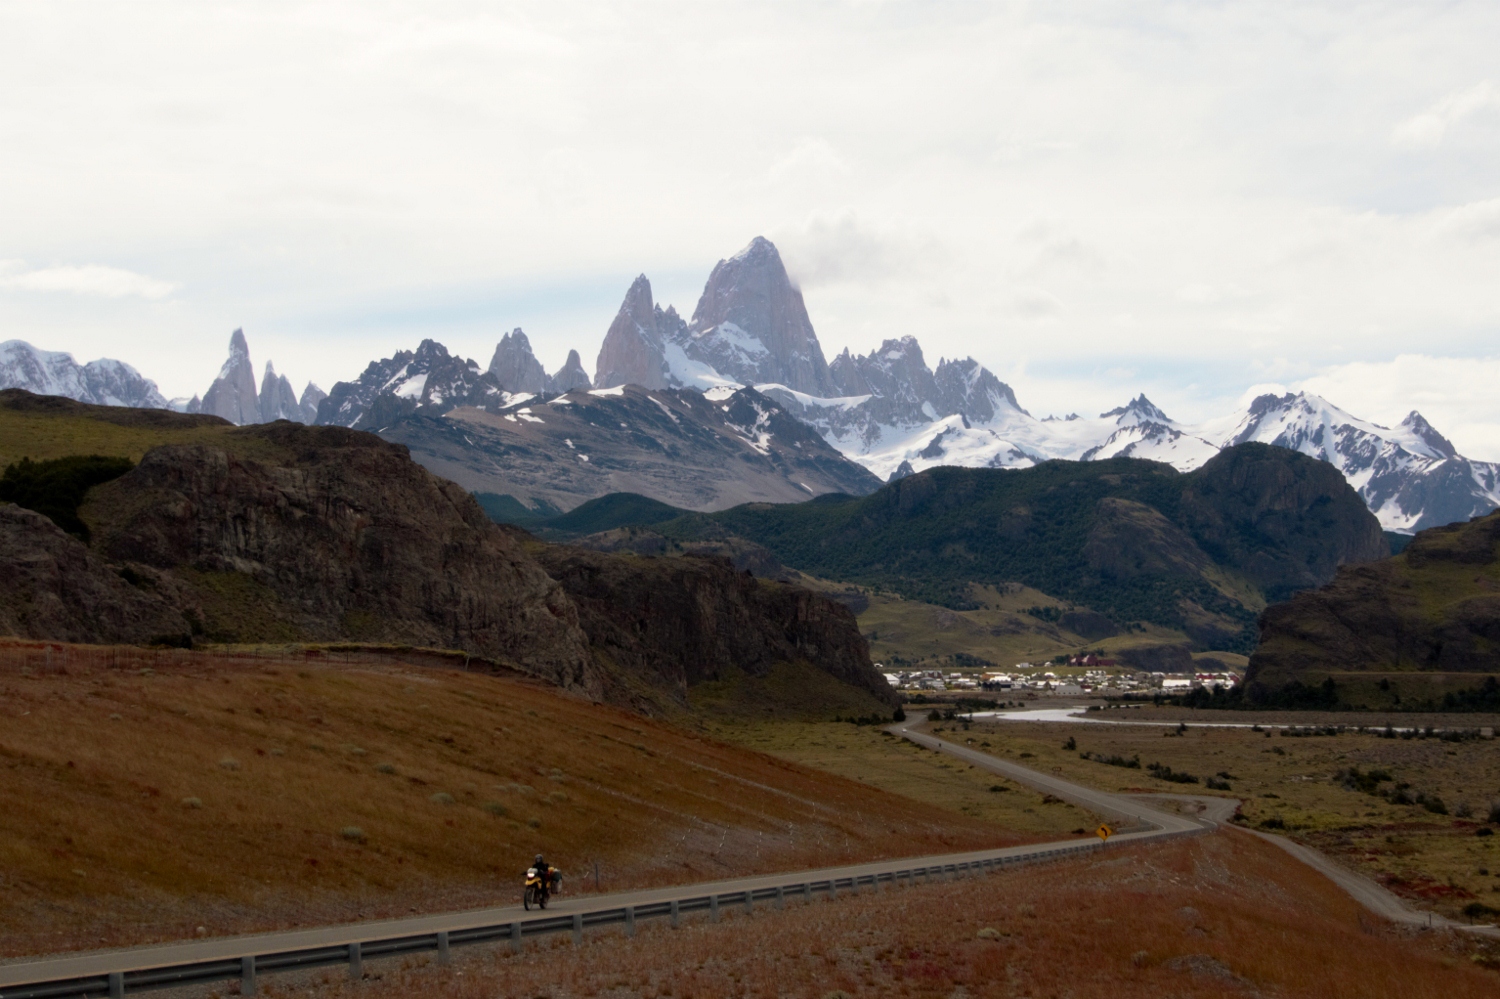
{"x":338,"y":535}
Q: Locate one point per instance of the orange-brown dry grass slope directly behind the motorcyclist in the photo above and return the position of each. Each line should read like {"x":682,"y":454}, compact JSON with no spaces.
{"x":146,"y":794}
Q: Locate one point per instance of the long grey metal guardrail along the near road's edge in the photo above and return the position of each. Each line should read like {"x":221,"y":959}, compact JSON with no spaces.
{"x":250,"y":967}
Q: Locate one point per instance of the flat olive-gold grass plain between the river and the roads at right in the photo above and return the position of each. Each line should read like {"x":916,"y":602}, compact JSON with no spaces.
{"x":1433,"y":860}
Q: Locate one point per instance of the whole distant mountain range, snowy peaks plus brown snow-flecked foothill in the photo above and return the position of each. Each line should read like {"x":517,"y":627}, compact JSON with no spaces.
{"x":886,"y":412}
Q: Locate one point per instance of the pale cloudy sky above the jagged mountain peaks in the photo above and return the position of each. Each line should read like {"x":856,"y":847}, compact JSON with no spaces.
{"x":1094,"y":200}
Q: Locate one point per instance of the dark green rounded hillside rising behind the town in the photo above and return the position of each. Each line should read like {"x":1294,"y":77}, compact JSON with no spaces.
{"x":1136,"y":541}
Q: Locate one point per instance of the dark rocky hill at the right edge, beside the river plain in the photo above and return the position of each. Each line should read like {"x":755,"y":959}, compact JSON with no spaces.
{"x":1433,"y":608}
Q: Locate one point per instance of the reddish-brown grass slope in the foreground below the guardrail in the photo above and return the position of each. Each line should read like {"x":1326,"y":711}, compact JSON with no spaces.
{"x":1222,"y":916}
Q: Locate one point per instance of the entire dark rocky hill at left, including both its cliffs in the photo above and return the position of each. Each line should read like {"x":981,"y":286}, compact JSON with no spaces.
{"x":287,"y":533}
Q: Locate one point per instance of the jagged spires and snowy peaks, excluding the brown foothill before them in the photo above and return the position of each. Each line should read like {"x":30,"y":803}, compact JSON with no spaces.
{"x":887,"y":410}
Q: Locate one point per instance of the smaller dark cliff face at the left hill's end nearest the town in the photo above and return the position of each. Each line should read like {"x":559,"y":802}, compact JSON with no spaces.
{"x":682,"y":622}
